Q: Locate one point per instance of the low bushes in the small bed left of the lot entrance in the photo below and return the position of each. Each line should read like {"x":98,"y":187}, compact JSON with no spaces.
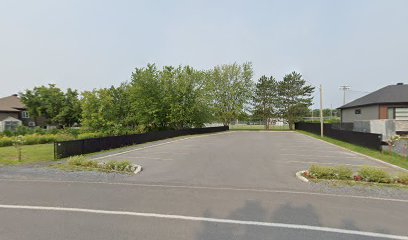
{"x":110,"y":166}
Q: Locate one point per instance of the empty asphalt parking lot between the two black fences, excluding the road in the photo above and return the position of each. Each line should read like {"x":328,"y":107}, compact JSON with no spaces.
{"x":237,"y":159}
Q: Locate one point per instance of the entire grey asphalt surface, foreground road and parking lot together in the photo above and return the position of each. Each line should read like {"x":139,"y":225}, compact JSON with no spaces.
{"x":237,"y":185}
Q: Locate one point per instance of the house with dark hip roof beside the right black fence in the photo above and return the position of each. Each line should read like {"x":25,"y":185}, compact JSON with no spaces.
{"x":384,"y":111}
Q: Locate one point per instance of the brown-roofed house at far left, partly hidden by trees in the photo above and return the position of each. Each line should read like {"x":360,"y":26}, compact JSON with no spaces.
{"x":13,"y":113}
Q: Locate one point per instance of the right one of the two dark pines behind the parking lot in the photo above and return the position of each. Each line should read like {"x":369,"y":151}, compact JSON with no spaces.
{"x":295,"y":97}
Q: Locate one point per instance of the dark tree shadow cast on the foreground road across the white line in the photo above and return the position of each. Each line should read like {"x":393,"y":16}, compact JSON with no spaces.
{"x":287,"y":213}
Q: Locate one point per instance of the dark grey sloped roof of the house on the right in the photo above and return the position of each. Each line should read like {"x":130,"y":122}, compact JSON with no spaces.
{"x":389,"y":94}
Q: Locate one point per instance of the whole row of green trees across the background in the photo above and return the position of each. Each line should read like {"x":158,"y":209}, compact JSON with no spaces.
{"x":172,"y":98}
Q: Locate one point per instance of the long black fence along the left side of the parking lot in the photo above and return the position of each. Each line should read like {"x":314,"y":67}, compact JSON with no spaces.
{"x":78,"y":147}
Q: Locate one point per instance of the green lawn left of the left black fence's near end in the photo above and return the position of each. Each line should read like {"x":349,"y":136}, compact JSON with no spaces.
{"x":30,"y":154}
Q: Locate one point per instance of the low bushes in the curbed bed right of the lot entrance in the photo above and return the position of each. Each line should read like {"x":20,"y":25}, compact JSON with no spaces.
{"x":366,"y":174}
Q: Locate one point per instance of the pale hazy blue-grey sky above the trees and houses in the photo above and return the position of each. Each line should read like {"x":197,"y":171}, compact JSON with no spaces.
{"x":87,"y":44}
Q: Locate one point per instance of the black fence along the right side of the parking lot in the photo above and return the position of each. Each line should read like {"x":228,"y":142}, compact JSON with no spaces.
{"x":368,"y":140}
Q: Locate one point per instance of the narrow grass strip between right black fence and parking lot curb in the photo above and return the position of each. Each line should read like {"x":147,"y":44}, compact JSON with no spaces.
{"x":386,"y":157}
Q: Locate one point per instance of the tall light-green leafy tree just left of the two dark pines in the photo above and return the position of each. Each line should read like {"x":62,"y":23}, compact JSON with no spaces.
{"x":230,"y":87}
